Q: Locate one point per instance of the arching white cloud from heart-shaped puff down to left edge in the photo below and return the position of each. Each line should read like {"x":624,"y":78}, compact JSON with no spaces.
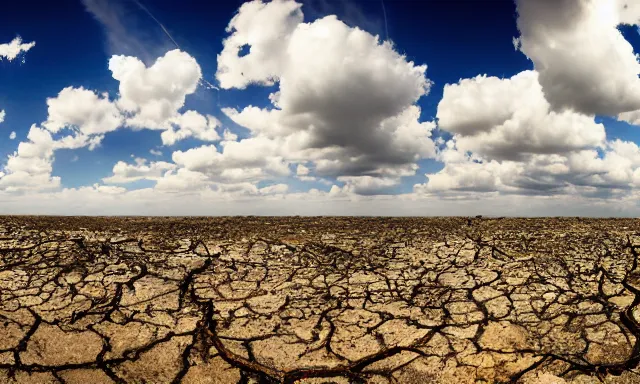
{"x":81,"y":117}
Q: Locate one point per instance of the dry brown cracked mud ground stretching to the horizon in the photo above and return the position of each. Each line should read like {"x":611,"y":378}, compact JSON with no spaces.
{"x":319,"y":300}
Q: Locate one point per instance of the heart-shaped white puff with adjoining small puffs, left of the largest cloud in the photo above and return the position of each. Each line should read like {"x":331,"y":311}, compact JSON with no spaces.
{"x":149,"y":97}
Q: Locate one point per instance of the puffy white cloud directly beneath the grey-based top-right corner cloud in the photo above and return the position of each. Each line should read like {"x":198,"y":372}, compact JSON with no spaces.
{"x":510,"y":119}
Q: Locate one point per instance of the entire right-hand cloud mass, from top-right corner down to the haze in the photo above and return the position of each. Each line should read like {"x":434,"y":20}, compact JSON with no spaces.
{"x":535,"y":133}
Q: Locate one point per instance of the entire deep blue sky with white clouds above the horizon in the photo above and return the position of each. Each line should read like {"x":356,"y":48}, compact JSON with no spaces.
{"x":541,"y":125}
